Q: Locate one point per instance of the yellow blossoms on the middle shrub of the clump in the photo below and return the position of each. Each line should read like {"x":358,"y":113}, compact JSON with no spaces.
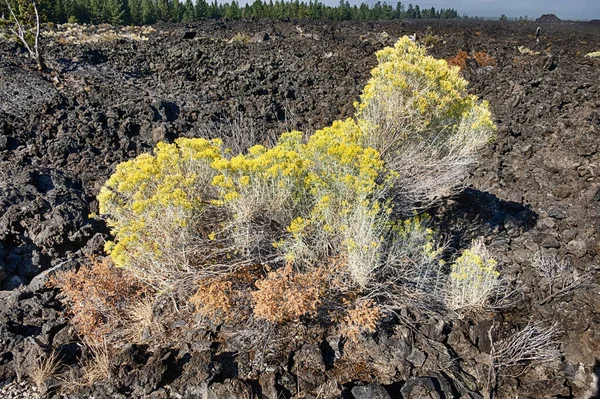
{"x":319,"y":180}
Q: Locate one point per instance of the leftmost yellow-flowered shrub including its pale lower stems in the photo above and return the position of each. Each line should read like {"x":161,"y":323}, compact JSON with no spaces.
{"x":154,"y":205}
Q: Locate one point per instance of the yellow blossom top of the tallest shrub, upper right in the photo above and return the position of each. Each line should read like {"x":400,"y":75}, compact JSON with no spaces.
{"x":434,"y":92}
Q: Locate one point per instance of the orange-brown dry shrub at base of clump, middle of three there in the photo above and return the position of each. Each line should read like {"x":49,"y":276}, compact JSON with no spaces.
{"x":286,"y":295}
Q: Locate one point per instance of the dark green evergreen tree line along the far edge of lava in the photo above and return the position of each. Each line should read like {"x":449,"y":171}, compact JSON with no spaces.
{"x":143,"y":12}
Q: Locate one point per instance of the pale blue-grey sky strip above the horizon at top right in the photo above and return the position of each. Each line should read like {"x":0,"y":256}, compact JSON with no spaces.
{"x":564,"y":9}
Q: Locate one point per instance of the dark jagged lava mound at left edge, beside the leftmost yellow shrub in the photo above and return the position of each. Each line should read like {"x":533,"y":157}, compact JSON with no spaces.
{"x":43,"y":216}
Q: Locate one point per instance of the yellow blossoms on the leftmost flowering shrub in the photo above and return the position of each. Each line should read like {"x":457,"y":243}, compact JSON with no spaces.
{"x":154,"y":194}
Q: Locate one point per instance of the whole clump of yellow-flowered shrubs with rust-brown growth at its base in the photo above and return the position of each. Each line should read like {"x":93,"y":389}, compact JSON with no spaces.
{"x":193,"y":207}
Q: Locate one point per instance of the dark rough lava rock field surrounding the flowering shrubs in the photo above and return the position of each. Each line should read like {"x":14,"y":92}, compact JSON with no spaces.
{"x":112,"y":97}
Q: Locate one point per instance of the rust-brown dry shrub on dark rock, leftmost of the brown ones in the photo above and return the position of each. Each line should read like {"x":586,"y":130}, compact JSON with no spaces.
{"x":98,"y":294}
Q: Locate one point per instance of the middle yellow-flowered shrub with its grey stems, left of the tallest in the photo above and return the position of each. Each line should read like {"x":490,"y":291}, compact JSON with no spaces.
{"x":309,"y":191}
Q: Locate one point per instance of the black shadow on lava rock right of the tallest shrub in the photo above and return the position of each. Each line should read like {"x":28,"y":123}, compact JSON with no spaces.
{"x":474,"y":213}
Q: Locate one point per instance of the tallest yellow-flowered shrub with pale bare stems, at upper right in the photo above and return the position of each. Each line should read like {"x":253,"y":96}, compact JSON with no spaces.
{"x":415,"y":110}
